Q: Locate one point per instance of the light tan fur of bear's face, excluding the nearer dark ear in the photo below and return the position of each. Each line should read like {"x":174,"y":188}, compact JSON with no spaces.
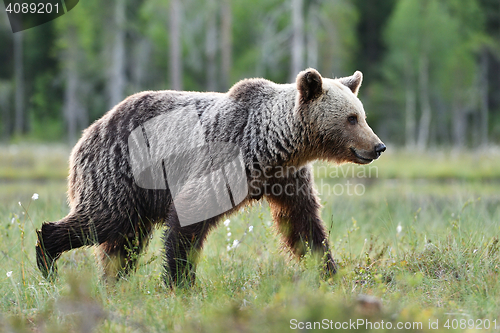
{"x":342,"y":133}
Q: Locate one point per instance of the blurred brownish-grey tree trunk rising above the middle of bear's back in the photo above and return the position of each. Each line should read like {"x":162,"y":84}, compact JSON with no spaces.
{"x":175,"y":45}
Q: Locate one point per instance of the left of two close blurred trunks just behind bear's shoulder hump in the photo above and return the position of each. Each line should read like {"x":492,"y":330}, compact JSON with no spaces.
{"x":211,"y":45}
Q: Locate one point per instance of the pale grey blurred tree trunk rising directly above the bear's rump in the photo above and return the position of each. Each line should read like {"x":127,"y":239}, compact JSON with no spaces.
{"x":116,"y":82}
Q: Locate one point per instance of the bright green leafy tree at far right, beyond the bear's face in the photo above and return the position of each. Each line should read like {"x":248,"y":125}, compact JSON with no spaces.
{"x":447,"y":35}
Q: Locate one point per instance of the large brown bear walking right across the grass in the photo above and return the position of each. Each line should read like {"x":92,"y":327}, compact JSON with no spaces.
{"x":186,"y":159}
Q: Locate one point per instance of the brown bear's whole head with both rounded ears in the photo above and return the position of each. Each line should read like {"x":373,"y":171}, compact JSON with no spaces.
{"x":335,"y":119}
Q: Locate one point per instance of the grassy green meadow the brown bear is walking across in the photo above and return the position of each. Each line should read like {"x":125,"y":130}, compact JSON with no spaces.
{"x":420,"y":235}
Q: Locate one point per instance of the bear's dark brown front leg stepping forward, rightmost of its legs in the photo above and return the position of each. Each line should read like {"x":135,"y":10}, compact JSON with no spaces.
{"x":295,"y":209}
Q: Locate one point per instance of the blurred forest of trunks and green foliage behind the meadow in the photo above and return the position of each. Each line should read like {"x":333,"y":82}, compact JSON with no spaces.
{"x":431,"y":67}
